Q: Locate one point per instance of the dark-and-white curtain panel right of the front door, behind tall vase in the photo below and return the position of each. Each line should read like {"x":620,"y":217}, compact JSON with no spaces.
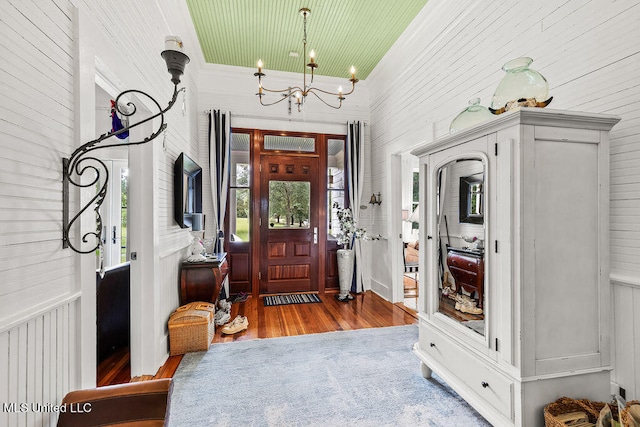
{"x":355,"y":164}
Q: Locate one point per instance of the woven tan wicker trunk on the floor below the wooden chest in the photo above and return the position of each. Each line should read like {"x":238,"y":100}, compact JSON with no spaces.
{"x":191,"y":328}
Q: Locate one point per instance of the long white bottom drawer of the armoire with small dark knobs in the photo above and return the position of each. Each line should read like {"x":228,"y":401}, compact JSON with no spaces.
{"x":477,"y":374}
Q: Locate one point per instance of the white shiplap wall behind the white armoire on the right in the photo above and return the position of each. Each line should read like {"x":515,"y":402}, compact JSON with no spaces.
{"x":587,"y":50}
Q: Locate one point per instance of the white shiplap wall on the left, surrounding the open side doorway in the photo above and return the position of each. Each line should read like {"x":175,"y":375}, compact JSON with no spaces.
{"x":37,"y":129}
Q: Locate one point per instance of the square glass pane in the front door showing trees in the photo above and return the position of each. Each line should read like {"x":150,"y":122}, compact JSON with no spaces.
{"x":289,"y":204}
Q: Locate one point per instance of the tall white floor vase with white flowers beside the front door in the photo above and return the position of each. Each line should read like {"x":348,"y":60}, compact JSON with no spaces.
{"x":346,"y":257}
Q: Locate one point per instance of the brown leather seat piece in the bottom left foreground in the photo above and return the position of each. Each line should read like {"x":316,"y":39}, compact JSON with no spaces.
{"x":140,"y":404}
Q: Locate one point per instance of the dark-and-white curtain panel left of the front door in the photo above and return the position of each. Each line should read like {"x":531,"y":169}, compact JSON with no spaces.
{"x":219,"y":160}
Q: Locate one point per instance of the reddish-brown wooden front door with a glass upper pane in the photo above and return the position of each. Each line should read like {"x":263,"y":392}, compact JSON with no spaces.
{"x":289,"y":221}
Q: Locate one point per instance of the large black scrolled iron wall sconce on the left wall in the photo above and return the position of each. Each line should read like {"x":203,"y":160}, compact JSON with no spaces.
{"x":79,"y":162}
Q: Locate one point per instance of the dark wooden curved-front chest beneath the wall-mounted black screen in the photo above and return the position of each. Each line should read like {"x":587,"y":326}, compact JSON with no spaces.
{"x":202,"y":281}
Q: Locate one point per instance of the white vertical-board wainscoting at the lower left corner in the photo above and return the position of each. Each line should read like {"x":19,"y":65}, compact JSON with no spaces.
{"x":37,"y":367}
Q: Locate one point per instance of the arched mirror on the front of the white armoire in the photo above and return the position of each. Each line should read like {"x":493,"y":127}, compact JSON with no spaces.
{"x":460,"y":210}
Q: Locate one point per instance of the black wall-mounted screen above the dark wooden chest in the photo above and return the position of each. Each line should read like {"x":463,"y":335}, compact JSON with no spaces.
{"x":187,"y":190}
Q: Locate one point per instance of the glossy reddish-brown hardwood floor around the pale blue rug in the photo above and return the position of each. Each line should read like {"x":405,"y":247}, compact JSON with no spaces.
{"x":367,"y":310}
